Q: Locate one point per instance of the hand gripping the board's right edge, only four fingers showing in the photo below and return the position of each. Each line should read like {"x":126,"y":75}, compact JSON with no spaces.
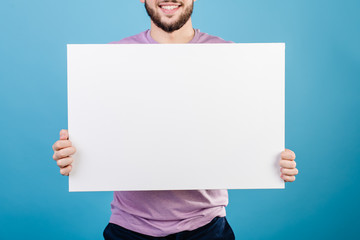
{"x":288,"y":166}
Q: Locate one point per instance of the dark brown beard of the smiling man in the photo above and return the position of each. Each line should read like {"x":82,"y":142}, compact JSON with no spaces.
{"x":171,"y":27}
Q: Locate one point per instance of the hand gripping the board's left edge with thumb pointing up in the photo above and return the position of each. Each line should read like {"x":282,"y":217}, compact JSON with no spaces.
{"x":63,"y":150}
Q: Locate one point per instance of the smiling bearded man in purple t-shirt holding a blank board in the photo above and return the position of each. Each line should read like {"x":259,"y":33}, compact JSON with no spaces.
{"x":186,"y":214}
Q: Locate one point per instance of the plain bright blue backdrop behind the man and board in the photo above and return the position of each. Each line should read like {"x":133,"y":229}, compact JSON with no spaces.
{"x":322,"y":113}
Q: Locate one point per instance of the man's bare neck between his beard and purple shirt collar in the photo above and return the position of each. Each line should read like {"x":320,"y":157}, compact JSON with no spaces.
{"x":183,"y":35}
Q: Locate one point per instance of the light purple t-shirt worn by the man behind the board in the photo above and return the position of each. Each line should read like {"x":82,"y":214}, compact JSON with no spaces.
{"x":160,"y":213}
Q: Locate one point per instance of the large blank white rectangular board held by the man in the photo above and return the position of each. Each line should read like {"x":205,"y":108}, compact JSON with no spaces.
{"x":176,"y":116}
